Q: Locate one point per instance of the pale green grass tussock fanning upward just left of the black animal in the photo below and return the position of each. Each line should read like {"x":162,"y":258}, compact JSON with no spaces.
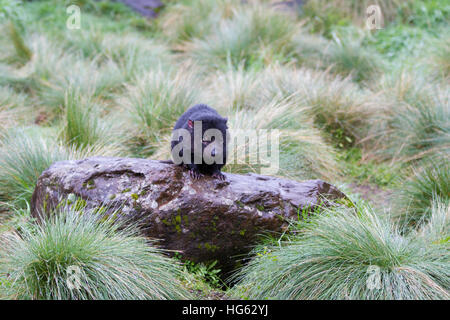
{"x":158,"y":99}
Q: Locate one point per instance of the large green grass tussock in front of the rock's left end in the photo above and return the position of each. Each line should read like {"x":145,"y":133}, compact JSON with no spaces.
{"x":75,"y":255}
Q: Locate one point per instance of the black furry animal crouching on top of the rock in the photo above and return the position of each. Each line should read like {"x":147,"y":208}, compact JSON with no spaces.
{"x":200,"y":115}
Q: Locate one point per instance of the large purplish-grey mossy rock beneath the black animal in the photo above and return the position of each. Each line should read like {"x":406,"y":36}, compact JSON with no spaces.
{"x":206,"y":219}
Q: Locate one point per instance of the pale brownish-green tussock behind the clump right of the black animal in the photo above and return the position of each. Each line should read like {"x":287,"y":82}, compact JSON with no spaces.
{"x":337,"y":106}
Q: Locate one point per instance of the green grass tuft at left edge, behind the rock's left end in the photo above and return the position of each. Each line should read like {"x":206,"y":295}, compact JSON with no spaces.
{"x":25,"y":154}
